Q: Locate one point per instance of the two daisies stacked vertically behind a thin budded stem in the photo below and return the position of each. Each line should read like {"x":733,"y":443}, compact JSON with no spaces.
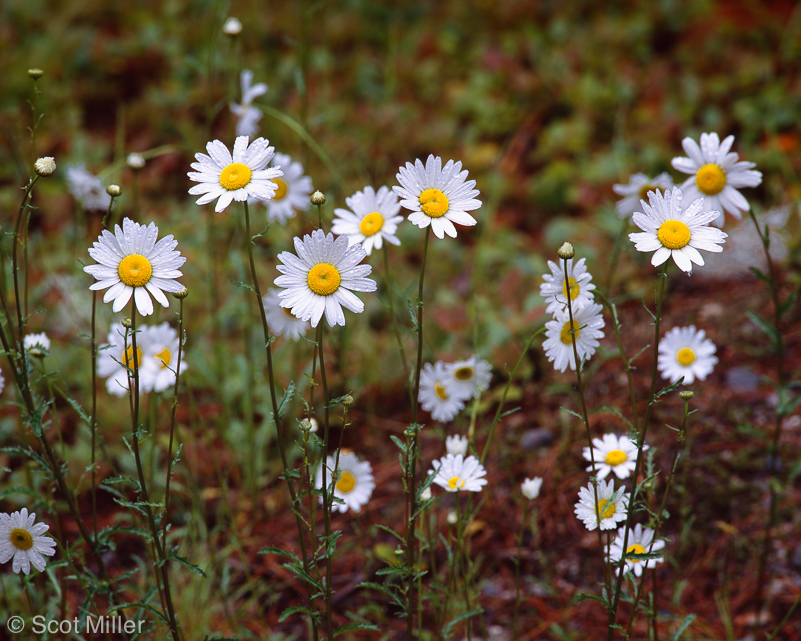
{"x":585,"y":327}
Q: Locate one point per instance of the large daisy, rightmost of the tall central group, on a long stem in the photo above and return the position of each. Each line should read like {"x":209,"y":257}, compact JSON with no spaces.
{"x":437,"y":196}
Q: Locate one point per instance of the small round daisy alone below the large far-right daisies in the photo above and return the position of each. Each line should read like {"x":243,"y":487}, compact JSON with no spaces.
{"x":685,"y":351}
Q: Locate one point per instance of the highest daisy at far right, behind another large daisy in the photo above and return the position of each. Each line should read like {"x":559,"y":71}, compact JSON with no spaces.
{"x":716,"y":175}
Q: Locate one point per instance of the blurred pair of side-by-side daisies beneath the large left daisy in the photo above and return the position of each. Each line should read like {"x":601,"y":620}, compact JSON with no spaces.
{"x":156,"y":356}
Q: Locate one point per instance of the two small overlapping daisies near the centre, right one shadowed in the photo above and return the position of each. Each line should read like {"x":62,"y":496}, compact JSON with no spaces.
{"x":445,"y":388}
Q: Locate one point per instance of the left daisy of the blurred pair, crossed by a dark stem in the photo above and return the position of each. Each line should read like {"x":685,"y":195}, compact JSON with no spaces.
{"x":113,"y":360}
